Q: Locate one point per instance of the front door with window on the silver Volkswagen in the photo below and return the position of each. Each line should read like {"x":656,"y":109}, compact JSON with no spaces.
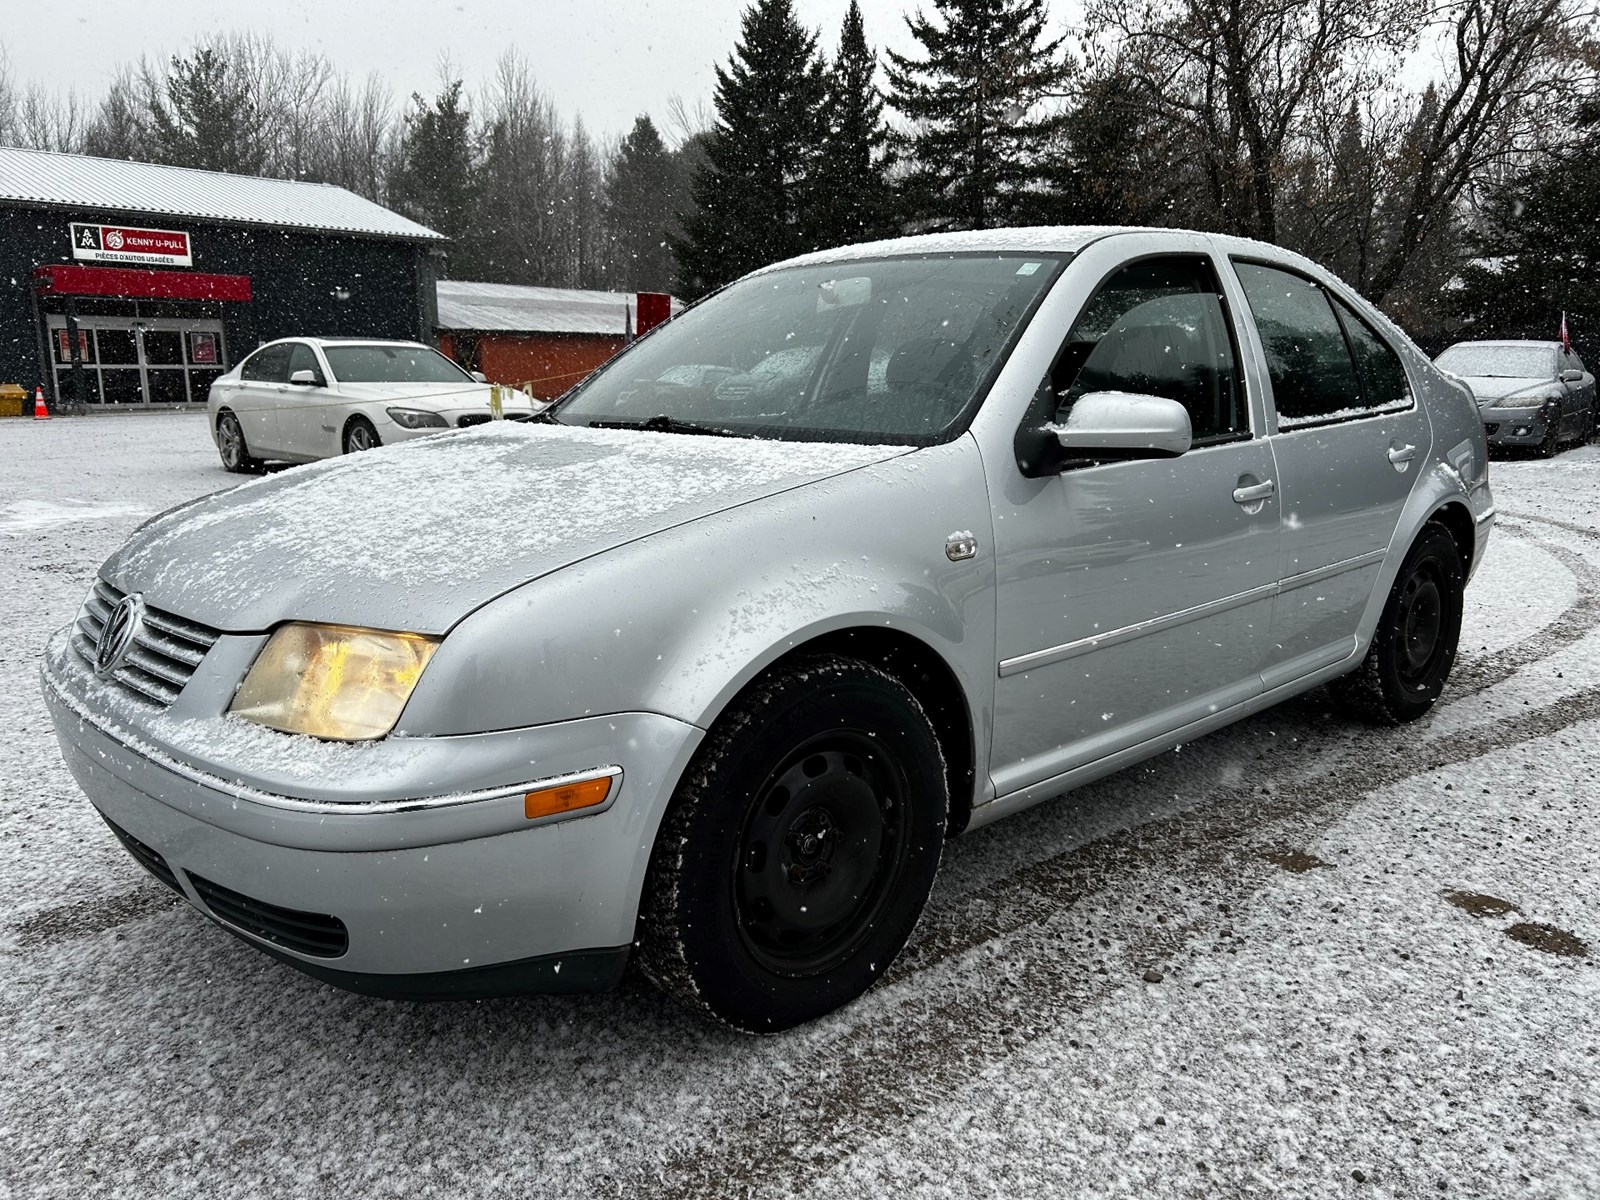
{"x":1135,"y":598}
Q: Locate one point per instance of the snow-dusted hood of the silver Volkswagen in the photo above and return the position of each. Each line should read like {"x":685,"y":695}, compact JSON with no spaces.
{"x":417,"y":535}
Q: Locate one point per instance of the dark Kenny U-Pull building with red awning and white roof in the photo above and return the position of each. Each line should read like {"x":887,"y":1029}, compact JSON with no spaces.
{"x":130,"y":284}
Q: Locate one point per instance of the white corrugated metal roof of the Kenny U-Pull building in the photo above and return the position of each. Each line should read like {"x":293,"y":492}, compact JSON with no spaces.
{"x":79,"y":182}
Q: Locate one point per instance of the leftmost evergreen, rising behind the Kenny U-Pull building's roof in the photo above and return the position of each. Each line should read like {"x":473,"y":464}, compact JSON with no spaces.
{"x":207,"y":119}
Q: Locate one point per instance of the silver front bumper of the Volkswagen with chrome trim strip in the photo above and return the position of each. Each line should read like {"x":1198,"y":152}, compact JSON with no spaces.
{"x":447,"y":892}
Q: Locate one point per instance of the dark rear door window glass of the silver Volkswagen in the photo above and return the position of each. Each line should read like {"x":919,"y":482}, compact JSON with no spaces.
{"x":1326,"y":362}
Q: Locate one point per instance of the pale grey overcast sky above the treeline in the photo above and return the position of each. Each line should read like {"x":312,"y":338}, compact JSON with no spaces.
{"x":607,"y":60}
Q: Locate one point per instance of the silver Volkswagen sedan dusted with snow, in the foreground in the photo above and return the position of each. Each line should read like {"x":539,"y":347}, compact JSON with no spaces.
{"x":871,"y":548}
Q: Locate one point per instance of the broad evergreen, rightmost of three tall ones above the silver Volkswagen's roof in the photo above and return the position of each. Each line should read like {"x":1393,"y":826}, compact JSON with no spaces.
{"x":978,"y":153}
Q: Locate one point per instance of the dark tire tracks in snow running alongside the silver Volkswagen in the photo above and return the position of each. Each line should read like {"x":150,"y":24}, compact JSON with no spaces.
{"x":1022,"y":958}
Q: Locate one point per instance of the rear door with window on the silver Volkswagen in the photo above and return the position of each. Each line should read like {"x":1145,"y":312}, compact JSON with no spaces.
{"x":1350,"y":444}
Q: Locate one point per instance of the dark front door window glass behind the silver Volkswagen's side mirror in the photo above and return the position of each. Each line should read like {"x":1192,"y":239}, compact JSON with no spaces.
{"x":1158,"y":329}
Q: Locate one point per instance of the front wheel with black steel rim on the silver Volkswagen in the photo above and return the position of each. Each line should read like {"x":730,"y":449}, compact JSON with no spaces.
{"x":799,"y":849}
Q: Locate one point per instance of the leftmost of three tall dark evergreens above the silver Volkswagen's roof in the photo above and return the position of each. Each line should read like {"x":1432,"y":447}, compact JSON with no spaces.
{"x":751,"y":196}
